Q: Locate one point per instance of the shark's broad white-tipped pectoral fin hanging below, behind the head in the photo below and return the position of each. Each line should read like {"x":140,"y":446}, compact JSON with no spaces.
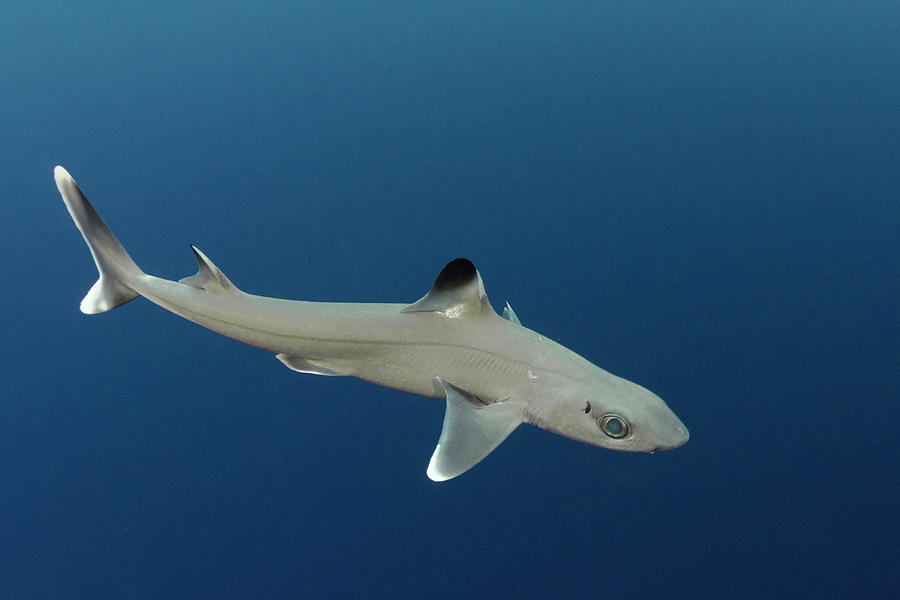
{"x":470,"y":432}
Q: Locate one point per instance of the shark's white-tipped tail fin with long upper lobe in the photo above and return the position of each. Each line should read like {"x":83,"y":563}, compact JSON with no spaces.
{"x":115,"y":266}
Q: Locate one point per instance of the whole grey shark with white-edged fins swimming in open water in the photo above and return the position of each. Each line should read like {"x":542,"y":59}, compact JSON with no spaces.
{"x":494,"y":373}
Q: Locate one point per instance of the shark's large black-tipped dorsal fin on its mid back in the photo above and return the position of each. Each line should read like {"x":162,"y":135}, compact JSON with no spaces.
{"x":457,"y":292}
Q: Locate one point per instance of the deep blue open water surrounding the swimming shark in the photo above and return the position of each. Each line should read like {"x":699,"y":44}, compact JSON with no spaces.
{"x":702,"y":197}
